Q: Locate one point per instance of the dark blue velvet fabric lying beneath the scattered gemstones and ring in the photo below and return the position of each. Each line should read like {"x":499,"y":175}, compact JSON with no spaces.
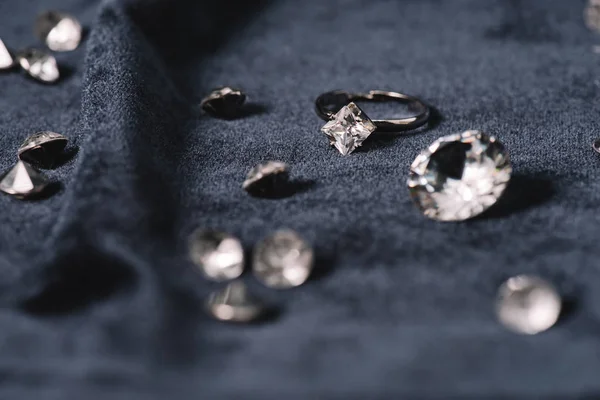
{"x":100,"y":301}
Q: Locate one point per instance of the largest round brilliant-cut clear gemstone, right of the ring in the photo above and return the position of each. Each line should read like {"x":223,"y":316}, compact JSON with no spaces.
{"x":459,"y":176}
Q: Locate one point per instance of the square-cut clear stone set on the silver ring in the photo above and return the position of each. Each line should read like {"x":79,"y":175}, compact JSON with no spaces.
{"x":348,"y":129}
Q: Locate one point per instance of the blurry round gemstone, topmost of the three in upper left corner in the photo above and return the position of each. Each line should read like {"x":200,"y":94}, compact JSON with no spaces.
{"x":60,"y":32}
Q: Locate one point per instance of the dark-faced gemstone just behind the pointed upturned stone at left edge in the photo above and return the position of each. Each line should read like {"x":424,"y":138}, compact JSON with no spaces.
{"x":42,"y":148}
